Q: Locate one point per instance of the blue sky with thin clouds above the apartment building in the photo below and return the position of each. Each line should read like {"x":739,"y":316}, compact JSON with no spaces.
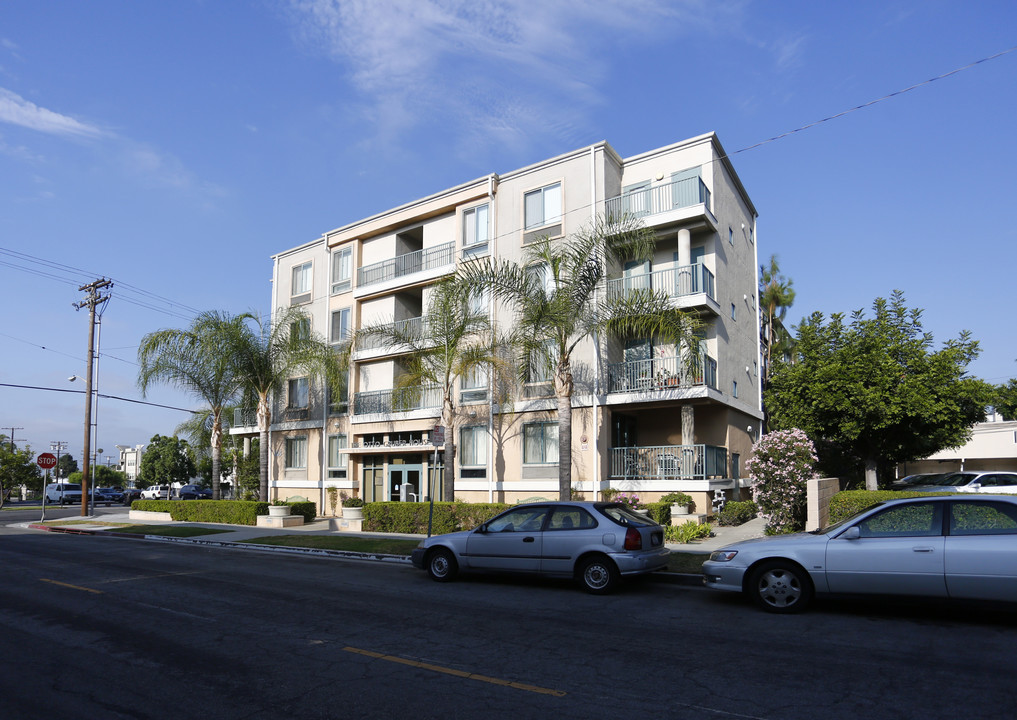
{"x":174,"y":148}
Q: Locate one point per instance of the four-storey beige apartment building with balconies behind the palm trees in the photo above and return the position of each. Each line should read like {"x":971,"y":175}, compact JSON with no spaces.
{"x":640,"y":425}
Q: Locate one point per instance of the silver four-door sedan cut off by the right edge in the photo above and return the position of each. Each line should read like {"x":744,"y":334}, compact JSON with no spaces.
{"x":953,"y":547}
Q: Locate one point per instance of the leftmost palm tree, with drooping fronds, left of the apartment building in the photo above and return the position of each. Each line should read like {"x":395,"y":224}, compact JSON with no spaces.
{"x":198,"y":362}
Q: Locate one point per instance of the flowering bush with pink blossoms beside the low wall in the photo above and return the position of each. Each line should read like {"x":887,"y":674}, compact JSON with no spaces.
{"x":782,"y":464}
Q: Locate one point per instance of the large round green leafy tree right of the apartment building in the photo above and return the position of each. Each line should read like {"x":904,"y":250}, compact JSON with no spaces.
{"x":874,"y":392}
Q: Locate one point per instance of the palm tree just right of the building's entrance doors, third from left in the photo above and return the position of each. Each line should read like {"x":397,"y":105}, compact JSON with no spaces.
{"x":454,"y":340}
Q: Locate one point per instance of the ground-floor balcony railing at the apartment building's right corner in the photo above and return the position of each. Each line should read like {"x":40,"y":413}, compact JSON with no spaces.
{"x":669,"y":463}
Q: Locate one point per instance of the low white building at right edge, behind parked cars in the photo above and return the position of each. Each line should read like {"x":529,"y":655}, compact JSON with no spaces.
{"x":993,"y":447}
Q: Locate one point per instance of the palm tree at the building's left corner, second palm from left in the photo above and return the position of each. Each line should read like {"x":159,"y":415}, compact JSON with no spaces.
{"x":269,"y":354}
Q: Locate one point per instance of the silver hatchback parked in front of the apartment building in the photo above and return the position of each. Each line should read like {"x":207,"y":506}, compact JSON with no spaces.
{"x":597,"y":544}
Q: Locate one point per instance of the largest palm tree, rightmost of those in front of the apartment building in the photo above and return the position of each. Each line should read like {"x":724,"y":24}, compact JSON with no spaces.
{"x":560,"y":304}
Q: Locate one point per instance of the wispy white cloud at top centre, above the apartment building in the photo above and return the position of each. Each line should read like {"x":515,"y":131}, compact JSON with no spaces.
{"x":507,"y":66}
